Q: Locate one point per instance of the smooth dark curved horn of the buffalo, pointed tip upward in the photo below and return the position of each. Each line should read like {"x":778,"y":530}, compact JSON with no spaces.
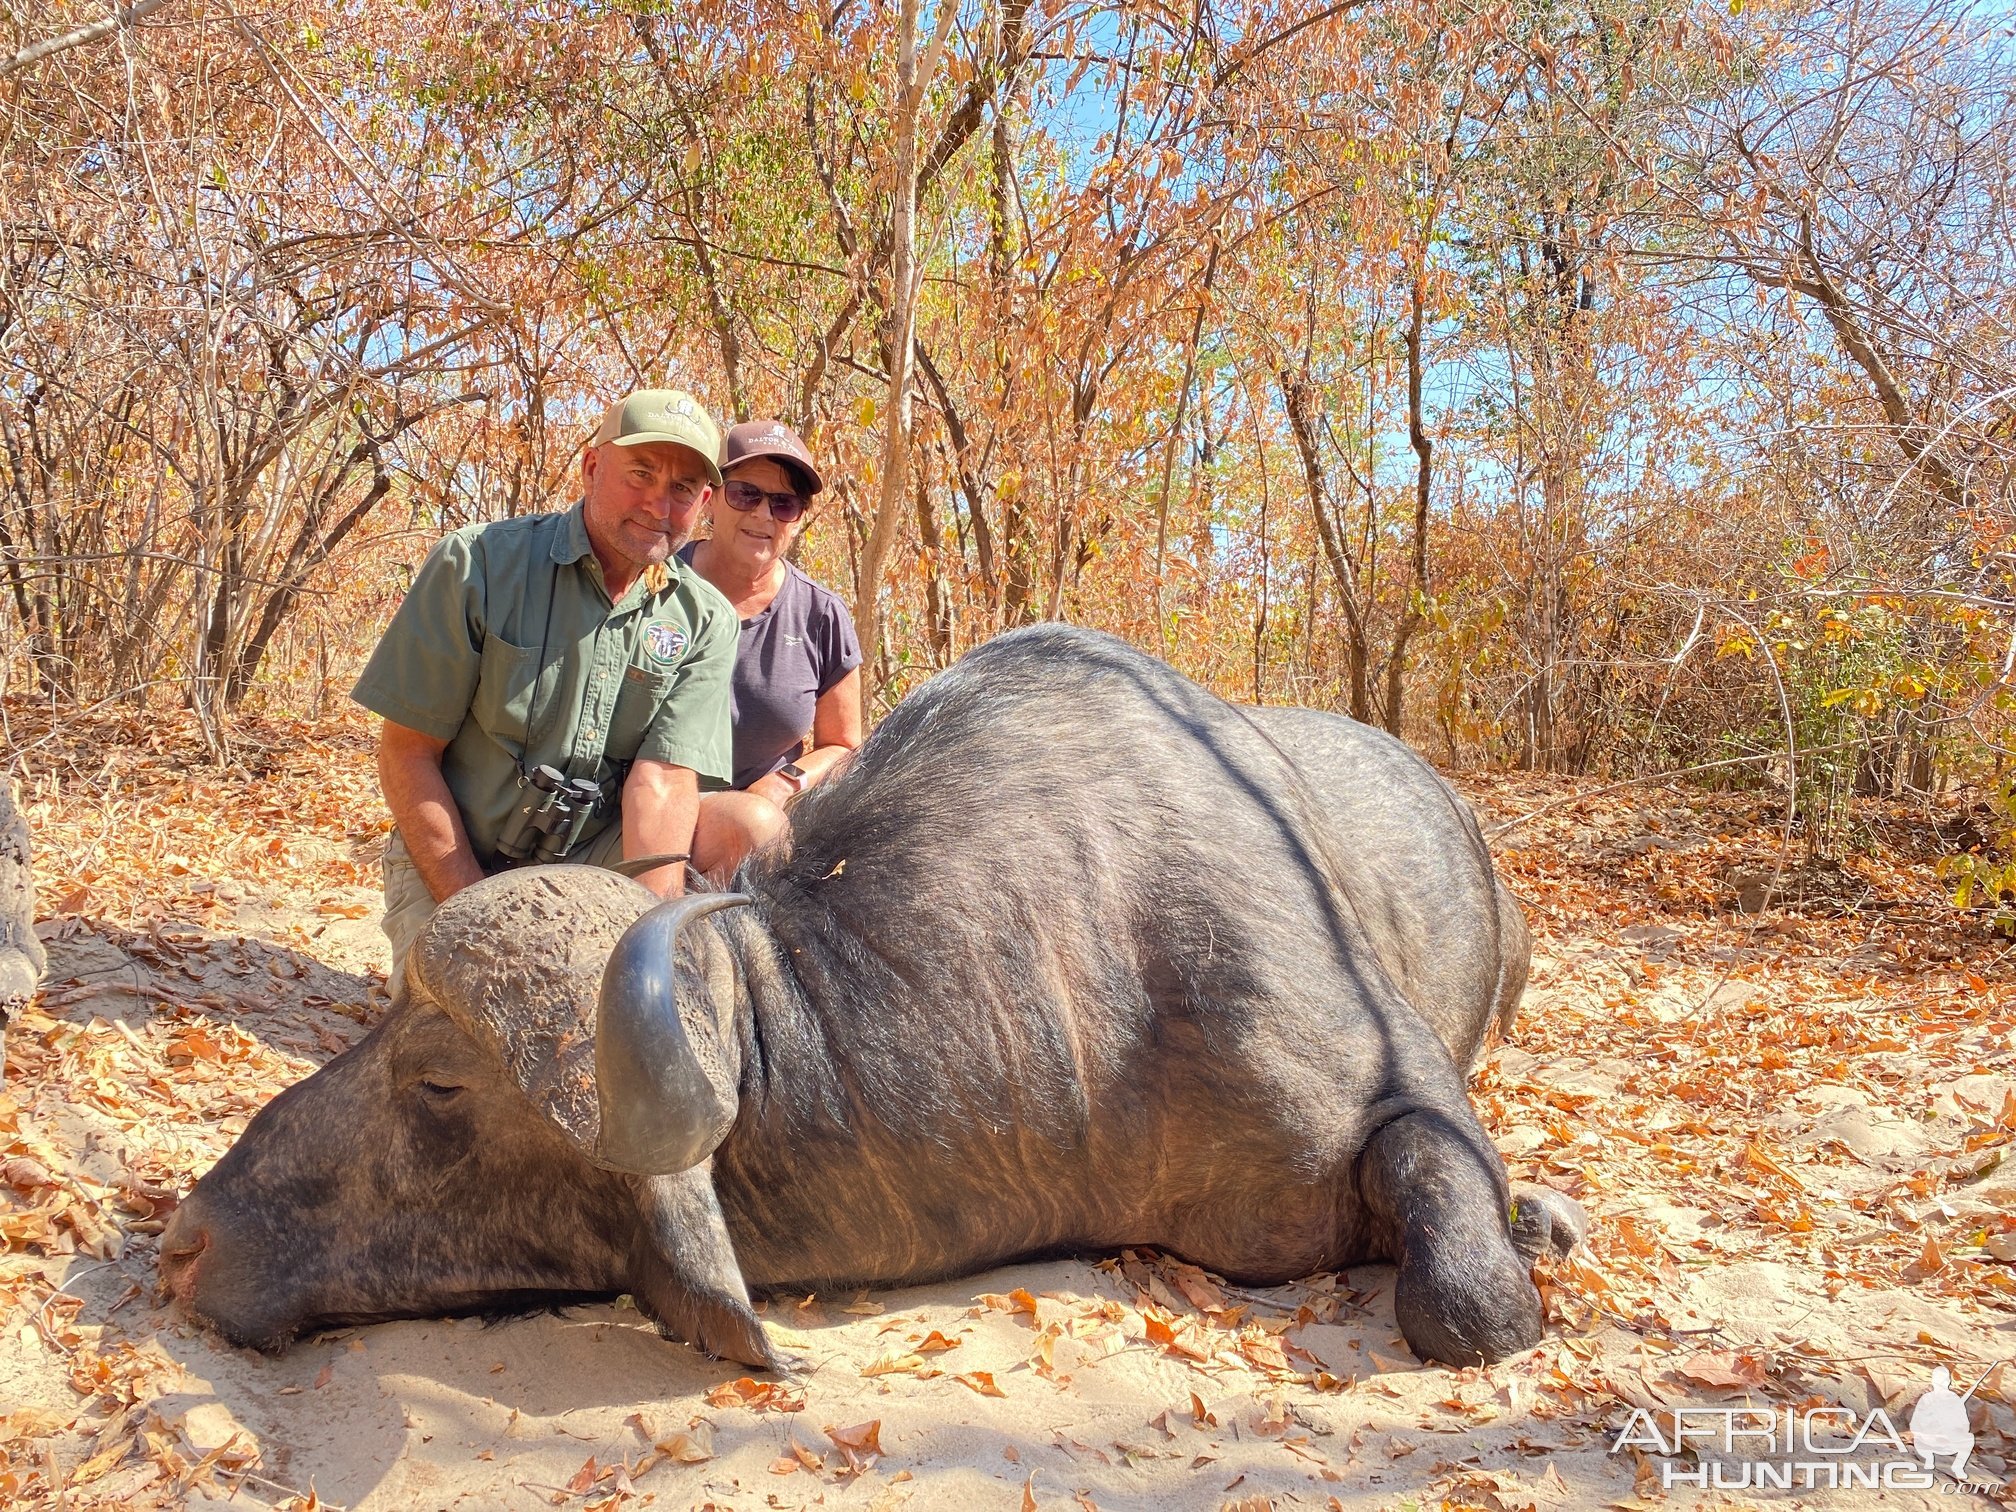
{"x":664,"y":1090}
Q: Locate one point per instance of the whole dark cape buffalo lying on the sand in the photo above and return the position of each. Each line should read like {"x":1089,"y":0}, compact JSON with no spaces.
{"x":1076,"y":957}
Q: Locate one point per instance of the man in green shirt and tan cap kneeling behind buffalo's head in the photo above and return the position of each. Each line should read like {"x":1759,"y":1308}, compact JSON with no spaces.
{"x":574,"y":642}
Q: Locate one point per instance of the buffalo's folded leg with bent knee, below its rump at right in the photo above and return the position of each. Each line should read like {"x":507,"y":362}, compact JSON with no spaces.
{"x":1436,"y":1190}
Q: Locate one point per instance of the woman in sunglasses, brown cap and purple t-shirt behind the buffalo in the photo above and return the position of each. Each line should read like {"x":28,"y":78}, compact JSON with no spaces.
{"x":799,"y":668}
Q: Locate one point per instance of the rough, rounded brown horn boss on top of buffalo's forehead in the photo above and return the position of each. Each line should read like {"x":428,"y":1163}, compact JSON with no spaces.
{"x":517,"y":963}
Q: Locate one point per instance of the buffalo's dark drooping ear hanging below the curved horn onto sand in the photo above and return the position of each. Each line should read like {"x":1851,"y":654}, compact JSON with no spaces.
{"x":684,"y":1271}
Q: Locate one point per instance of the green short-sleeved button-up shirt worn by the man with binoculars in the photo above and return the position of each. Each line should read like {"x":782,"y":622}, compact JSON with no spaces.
{"x":511,"y":650}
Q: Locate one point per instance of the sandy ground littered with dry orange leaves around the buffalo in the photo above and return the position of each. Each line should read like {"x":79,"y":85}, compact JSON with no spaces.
{"x":1755,"y":1249}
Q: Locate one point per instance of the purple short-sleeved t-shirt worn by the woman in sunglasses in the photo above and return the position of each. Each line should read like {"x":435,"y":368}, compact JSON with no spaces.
{"x":791,"y":654}
